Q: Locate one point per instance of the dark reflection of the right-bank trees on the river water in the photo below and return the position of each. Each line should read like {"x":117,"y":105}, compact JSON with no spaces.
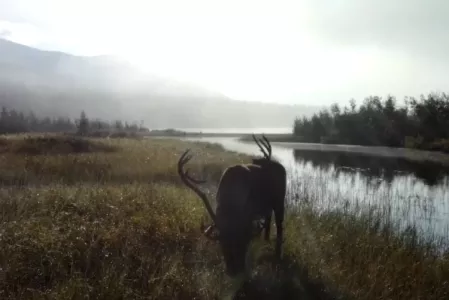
{"x":374,"y":168}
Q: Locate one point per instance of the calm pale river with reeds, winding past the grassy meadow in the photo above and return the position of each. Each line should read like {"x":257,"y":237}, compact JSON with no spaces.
{"x":410,"y":192}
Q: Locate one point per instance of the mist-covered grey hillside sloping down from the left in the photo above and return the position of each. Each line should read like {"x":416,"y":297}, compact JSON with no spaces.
{"x":60,"y":84}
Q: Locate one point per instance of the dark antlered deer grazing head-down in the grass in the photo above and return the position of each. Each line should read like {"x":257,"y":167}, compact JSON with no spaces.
{"x":246,"y":198}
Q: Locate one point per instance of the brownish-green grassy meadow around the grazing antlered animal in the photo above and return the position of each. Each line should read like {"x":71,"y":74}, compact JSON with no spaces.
{"x":114,"y":222}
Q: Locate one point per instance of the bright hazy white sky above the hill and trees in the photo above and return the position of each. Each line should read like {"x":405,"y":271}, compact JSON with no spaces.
{"x":303,"y":51}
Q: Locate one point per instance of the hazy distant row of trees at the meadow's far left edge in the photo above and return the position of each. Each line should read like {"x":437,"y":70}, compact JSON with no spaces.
{"x":13,"y":121}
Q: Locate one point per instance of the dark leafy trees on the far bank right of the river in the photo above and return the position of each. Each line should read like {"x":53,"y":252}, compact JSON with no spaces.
{"x":422,"y":124}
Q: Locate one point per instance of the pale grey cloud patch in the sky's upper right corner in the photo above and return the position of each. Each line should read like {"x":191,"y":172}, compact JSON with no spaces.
{"x":419,"y":27}
